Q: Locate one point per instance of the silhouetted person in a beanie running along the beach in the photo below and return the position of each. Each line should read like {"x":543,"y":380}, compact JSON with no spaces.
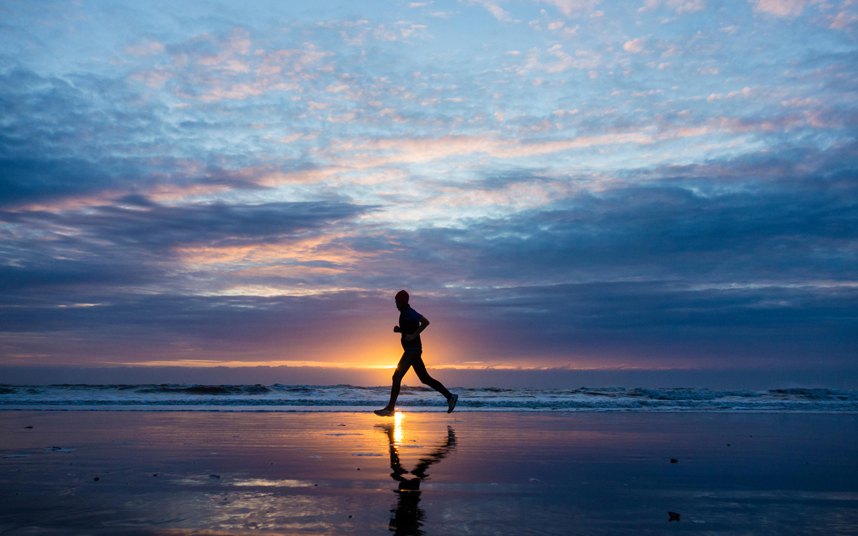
{"x":411,"y":323}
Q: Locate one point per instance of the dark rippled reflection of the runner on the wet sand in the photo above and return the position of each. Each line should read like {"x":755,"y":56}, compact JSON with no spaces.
{"x":407,"y":517}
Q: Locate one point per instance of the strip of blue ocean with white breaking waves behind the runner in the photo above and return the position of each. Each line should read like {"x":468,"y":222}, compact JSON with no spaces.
{"x":315,"y":398}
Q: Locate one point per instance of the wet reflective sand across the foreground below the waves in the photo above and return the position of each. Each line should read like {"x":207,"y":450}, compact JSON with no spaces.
{"x":431,"y":473}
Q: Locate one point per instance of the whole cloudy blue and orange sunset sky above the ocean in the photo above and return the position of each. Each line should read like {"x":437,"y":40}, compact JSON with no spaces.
{"x":570,"y":186}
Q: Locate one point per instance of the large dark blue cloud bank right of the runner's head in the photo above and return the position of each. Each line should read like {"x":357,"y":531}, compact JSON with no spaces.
{"x":701,"y":252}
